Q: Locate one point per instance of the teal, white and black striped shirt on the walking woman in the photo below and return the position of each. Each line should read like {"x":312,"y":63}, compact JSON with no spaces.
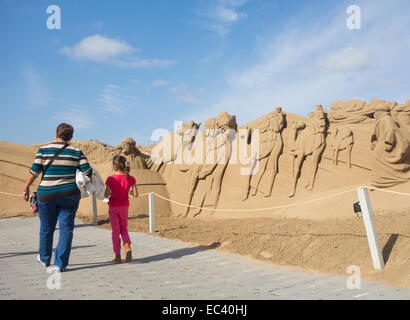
{"x":60,"y":178}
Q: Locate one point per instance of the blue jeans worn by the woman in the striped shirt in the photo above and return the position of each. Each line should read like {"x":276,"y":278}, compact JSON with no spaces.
{"x":64,"y":210}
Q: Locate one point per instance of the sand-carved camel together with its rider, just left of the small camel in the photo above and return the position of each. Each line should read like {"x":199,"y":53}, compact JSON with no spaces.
{"x":307,"y":139}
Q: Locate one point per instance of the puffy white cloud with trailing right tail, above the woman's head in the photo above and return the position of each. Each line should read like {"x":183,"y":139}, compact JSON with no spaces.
{"x":116,"y":52}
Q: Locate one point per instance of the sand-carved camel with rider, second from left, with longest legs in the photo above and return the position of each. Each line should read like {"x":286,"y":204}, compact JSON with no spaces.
{"x":217,"y":136}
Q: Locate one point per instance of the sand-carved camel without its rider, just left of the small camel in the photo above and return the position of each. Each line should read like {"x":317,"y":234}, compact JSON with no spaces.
{"x":304,"y":141}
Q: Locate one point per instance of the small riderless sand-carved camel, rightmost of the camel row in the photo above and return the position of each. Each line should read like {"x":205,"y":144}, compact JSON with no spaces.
{"x":341,"y":139}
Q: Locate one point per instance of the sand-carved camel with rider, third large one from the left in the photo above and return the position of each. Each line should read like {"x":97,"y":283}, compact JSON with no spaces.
{"x":270,"y":147}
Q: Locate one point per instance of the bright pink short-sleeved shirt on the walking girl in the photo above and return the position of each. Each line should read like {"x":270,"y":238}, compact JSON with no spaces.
{"x":120,"y":188}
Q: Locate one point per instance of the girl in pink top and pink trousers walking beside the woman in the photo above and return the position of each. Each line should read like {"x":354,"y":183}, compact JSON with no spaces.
{"x":118,"y":187}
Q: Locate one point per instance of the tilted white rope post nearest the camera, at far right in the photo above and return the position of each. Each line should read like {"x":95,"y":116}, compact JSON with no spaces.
{"x":370,"y":225}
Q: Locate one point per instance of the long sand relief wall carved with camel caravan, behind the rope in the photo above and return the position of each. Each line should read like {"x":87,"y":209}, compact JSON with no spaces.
{"x":349,"y":141}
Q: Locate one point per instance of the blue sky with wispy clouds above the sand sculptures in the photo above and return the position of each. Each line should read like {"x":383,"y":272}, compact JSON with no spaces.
{"x":126,"y":68}
